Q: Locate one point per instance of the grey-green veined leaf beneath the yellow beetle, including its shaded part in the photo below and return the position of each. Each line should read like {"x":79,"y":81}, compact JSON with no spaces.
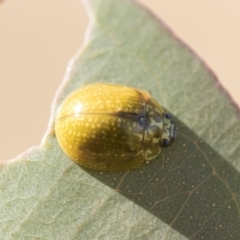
{"x":191,"y":191}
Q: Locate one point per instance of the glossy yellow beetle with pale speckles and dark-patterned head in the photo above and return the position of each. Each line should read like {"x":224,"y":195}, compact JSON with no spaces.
{"x":109,"y":127}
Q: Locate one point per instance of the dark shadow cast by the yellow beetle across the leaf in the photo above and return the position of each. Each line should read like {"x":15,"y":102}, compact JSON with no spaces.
{"x":189,"y":186}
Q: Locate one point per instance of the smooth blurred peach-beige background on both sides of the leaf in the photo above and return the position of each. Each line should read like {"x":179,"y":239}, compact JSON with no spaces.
{"x":38,"y":38}
